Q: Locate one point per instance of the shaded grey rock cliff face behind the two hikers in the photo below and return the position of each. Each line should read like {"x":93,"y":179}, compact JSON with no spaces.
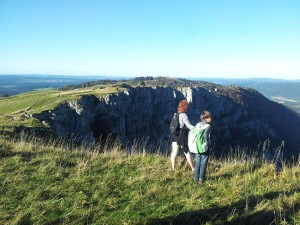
{"x":240,"y":117}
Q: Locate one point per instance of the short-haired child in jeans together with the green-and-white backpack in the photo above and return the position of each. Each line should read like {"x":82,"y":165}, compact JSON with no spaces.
{"x":199,"y":141}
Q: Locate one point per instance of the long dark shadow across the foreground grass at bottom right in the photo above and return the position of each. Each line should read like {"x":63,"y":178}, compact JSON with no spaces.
{"x":238,"y":213}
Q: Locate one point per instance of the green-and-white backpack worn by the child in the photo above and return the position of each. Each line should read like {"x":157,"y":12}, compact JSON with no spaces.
{"x":196,"y":140}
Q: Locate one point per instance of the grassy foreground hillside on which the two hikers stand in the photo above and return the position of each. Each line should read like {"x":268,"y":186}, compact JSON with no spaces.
{"x":43,"y":184}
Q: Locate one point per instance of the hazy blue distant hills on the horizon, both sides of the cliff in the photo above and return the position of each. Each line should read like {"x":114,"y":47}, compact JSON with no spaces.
{"x":286,"y":92}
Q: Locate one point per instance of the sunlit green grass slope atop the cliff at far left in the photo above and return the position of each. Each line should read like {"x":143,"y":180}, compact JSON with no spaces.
{"x":11,"y":108}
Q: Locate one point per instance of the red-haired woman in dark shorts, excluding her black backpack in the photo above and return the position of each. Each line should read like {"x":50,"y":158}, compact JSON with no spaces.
{"x":180,"y":141}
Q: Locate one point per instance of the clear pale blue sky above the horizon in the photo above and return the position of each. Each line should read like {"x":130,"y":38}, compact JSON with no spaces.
{"x":201,"y":38}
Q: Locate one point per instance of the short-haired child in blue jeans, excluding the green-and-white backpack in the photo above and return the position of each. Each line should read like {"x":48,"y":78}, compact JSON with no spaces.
{"x":202,"y":158}
